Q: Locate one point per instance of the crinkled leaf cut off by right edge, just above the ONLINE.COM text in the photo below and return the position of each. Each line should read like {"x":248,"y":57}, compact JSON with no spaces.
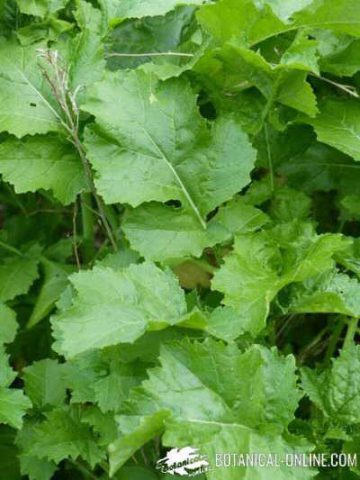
{"x":336,"y":391}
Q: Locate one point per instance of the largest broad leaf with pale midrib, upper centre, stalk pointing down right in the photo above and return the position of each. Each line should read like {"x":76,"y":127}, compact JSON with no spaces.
{"x":152,"y":158}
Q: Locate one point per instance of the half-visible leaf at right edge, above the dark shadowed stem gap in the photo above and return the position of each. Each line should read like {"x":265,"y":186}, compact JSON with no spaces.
{"x":332,"y":293}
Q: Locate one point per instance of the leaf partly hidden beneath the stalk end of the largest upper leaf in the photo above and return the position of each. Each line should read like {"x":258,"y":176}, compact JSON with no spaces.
{"x":163,"y":233}
